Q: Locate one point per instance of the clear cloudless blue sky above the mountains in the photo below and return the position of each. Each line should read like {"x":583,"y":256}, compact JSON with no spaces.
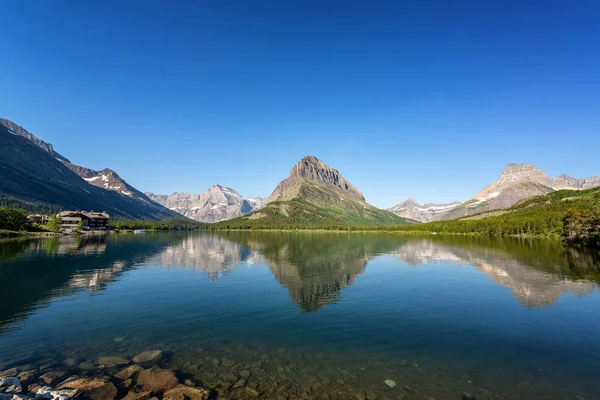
{"x":422,"y":99}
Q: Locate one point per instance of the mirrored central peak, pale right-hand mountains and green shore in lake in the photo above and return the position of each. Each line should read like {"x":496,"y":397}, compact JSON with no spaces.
{"x":315,"y":268}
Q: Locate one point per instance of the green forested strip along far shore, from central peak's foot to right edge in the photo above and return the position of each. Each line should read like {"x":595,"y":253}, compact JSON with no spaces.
{"x":571,"y":215}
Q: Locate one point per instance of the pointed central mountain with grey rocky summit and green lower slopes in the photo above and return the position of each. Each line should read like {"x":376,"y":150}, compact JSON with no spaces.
{"x":315,"y":195}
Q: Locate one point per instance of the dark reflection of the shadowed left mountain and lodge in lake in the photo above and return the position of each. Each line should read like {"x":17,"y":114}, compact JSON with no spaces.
{"x":39,"y":270}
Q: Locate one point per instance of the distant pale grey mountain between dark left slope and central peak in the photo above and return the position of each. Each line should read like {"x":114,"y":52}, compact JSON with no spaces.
{"x":215,"y":204}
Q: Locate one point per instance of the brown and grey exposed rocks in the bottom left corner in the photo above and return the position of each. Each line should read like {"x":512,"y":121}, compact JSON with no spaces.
{"x":109,"y":378}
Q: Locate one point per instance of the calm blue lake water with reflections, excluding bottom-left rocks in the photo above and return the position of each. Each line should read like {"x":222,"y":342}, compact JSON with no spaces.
{"x":314,"y":315}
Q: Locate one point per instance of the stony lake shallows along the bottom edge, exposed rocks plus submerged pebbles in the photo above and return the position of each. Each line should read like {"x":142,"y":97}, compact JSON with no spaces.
{"x":235,"y":371}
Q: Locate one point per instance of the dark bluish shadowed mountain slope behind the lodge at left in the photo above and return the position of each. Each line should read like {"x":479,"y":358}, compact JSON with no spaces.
{"x":33,"y":173}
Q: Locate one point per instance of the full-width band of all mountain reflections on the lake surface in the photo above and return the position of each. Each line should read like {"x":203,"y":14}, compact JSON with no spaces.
{"x":315,"y":268}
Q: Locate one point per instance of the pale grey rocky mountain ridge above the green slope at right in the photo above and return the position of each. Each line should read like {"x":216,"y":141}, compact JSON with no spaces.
{"x":516,"y":183}
